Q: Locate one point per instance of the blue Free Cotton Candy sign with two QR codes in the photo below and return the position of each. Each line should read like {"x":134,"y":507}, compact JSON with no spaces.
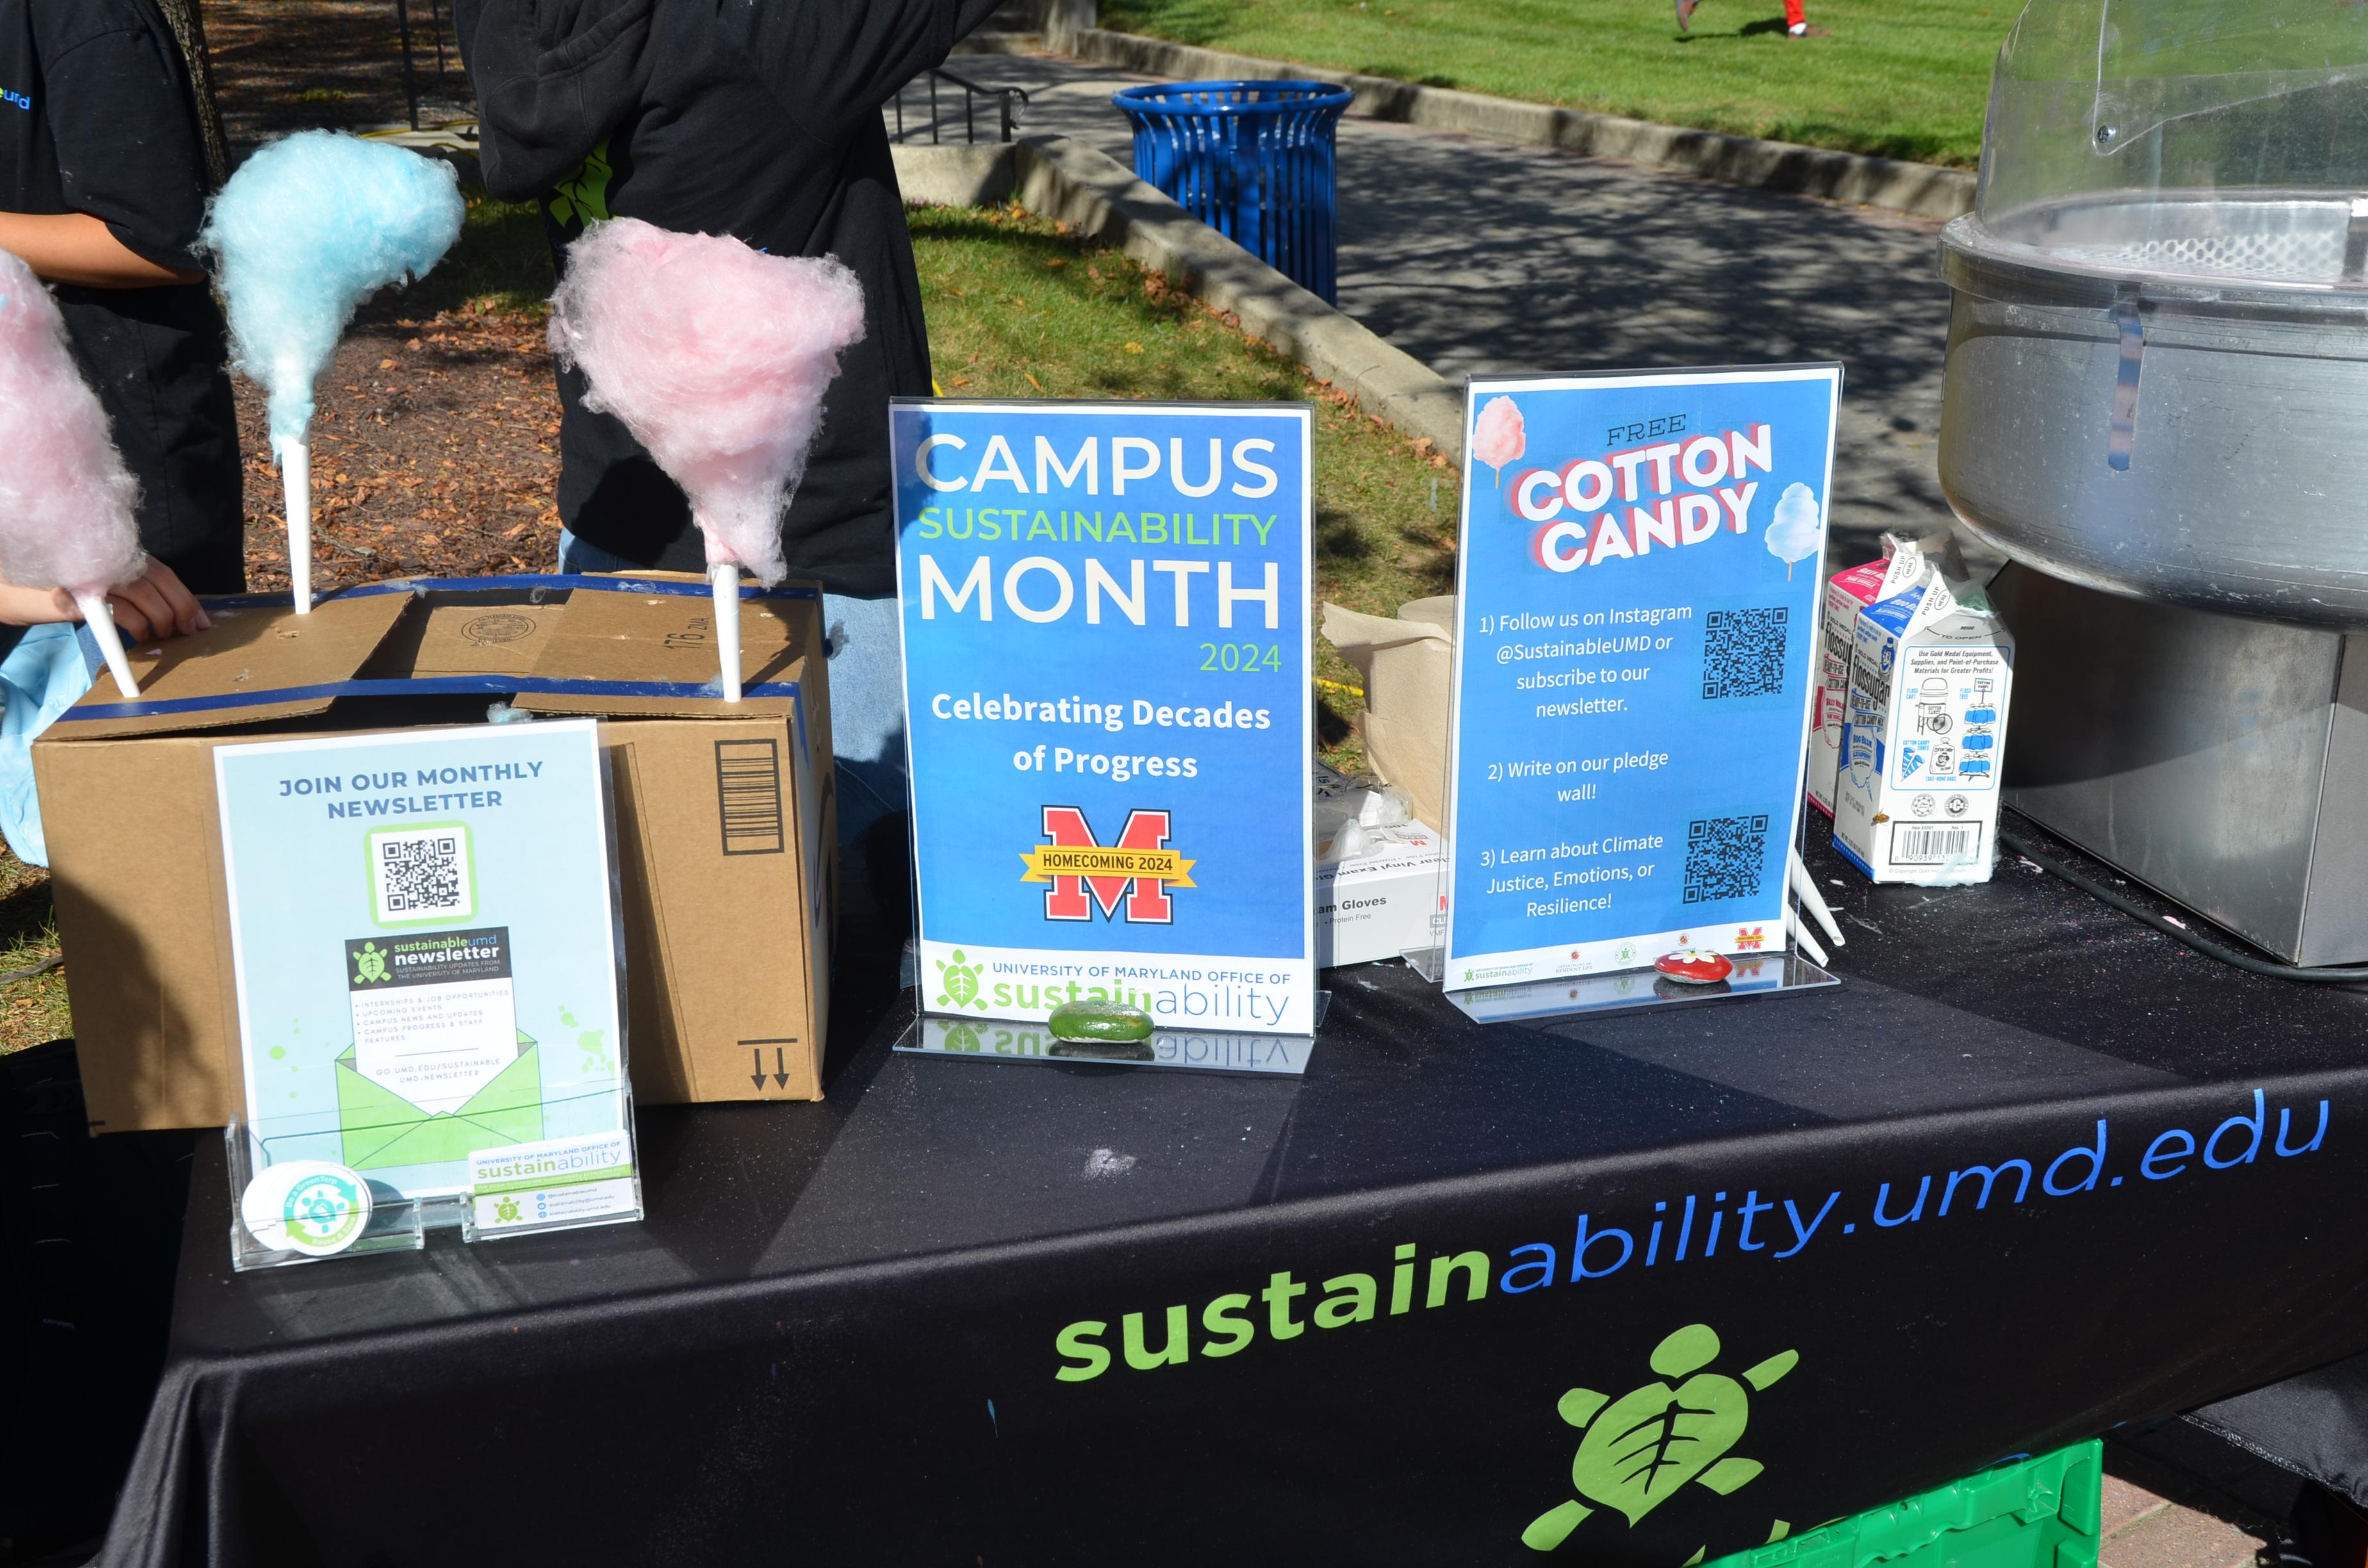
{"x":1633,"y":664}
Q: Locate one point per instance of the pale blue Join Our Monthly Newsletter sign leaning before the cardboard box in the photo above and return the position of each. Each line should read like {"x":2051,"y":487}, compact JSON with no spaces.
{"x":427,"y":960}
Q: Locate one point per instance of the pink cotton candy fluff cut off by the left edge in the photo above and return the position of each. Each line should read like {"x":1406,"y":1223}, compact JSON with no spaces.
{"x":65,"y":494}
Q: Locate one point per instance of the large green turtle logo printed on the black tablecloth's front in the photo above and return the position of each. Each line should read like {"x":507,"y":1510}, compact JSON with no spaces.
{"x":1652,"y":1441}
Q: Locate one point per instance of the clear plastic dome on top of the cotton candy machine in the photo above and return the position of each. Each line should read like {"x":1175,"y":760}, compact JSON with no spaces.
{"x":2184,"y":141}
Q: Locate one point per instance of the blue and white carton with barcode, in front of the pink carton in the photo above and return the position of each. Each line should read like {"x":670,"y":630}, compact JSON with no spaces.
{"x":1931,"y":674}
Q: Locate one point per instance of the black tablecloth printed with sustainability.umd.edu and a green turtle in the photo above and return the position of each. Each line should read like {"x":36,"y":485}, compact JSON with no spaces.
{"x":844,"y":1330}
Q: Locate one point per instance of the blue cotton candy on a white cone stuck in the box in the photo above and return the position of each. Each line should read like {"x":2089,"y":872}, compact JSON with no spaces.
{"x":304,"y":233}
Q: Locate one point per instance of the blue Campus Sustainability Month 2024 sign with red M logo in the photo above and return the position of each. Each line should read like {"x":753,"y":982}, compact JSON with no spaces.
{"x":1109,"y":707}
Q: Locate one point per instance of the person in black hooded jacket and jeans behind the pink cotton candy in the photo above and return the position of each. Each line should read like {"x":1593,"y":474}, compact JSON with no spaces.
{"x":761,"y":122}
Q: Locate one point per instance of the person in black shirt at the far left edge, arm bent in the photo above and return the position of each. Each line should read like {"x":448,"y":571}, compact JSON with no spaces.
{"x":103,"y":191}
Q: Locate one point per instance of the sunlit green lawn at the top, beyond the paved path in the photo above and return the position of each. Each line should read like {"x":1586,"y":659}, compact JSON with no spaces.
{"x":1903,"y":82}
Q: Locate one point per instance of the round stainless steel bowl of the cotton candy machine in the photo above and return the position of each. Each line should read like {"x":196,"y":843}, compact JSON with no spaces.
{"x":2168,"y":399}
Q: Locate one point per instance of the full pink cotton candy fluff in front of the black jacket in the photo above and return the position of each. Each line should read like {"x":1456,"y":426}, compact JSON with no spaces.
{"x":716,"y":359}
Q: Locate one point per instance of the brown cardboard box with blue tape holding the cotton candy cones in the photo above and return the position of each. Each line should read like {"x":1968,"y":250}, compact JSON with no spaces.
{"x":723,"y":816}
